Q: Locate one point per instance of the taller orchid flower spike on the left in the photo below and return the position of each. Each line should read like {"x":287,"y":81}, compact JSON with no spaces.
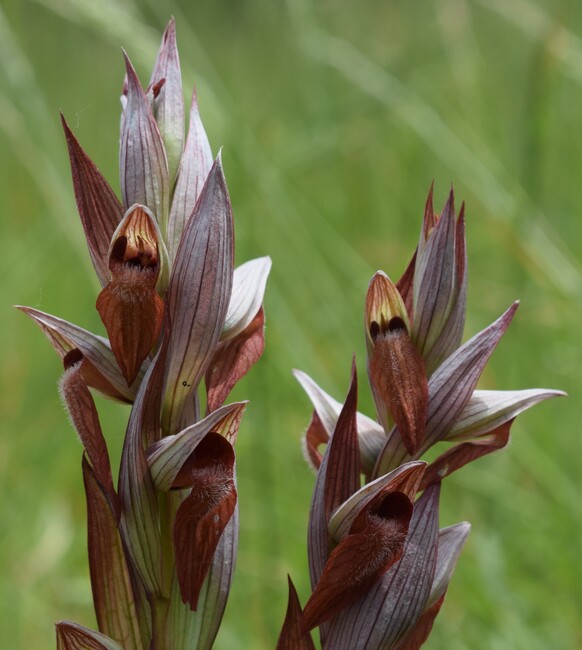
{"x":183,"y":327}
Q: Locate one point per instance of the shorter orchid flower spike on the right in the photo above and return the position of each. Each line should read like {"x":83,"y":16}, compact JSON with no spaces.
{"x":379,"y":565}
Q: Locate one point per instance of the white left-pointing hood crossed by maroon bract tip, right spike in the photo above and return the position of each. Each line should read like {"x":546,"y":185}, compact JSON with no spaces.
{"x":370,"y":434}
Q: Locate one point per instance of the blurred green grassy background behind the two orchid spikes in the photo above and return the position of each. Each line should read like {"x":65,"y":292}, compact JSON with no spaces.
{"x":335,"y":116}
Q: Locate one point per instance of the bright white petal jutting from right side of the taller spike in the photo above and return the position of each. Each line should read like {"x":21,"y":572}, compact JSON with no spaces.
{"x":248,"y":290}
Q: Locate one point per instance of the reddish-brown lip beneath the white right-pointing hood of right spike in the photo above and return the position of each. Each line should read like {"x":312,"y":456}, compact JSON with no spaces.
{"x":466,"y":452}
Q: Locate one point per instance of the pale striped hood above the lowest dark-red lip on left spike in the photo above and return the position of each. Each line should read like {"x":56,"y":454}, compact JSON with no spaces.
{"x":167,"y":457}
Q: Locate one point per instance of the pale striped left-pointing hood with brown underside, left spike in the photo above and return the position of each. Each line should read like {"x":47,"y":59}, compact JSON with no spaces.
{"x":64,"y":337}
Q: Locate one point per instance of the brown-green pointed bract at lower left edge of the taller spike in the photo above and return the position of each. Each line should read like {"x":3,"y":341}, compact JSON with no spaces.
{"x":113,"y":596}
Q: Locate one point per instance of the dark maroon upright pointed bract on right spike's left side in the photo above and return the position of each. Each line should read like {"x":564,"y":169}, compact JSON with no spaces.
{"x":338,"y":478}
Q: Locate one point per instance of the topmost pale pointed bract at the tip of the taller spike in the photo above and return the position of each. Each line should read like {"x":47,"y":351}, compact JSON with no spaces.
{"x":169,"y":103}
